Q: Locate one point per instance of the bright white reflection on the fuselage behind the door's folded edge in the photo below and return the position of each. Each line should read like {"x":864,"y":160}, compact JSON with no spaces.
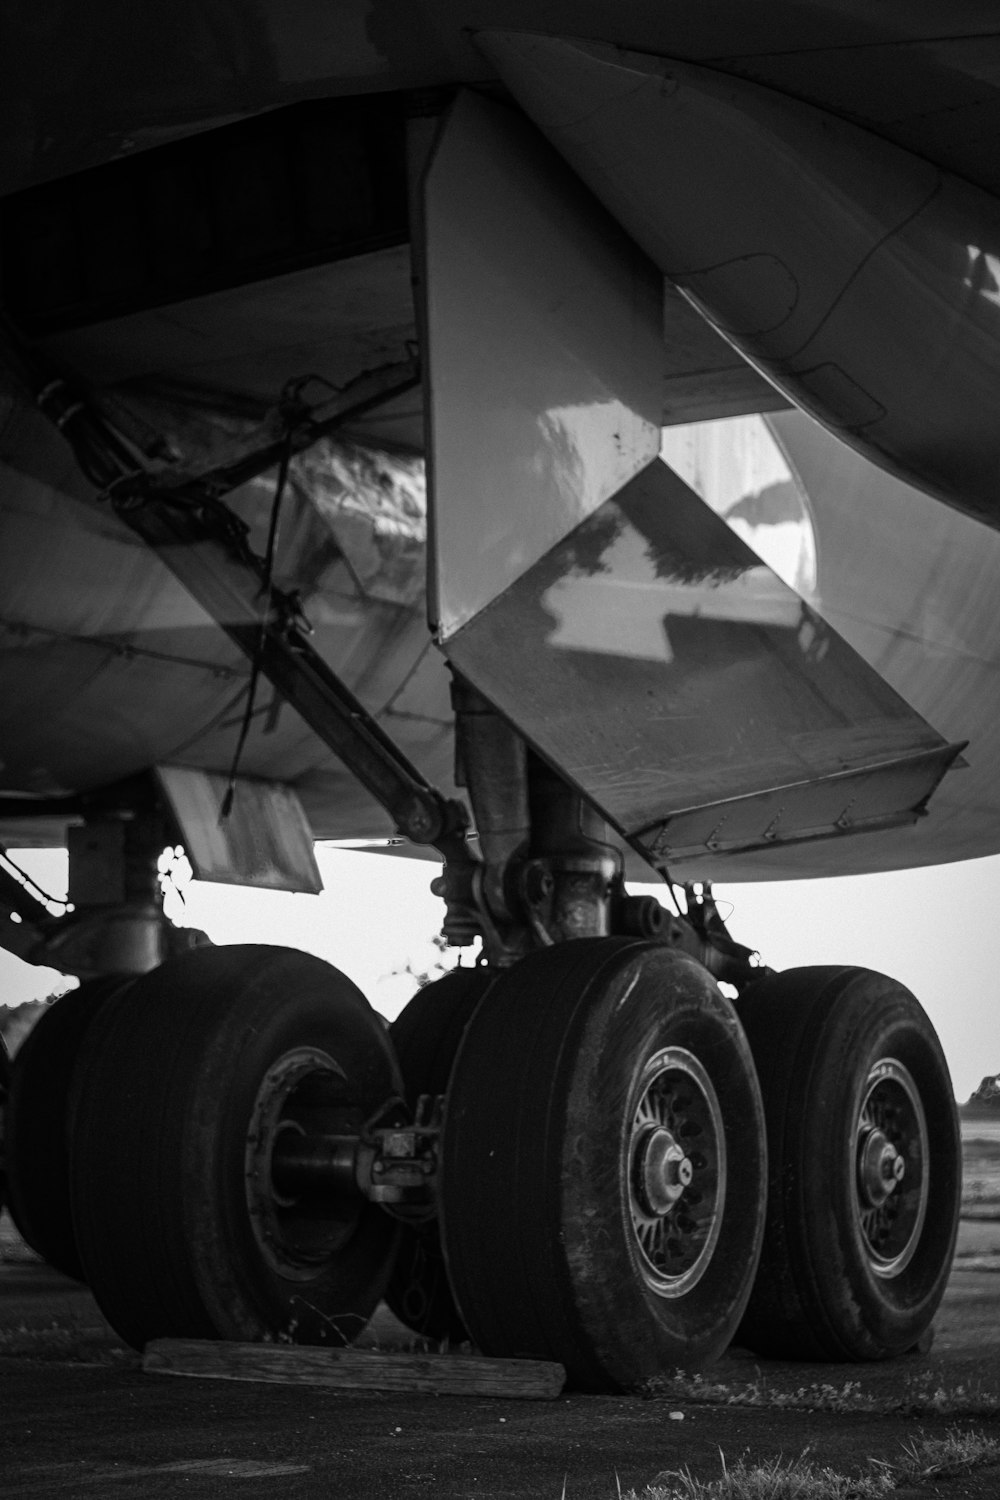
{"x":738,"y":469}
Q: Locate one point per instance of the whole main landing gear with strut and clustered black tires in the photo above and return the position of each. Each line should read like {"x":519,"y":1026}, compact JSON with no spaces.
{"x":579,"y":1150}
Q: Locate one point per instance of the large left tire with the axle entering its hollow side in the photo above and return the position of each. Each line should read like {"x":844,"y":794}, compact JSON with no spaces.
{"x":181,"y":1073}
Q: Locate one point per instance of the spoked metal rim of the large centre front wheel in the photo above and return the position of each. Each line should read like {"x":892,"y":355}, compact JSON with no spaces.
{"x":677,"y":1172}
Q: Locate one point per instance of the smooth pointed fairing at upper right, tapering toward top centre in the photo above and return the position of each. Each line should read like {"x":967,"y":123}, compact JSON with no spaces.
{"x":857,"y":277}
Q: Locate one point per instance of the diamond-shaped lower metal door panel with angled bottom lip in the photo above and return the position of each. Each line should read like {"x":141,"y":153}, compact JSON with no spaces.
{"x":663,"y":668}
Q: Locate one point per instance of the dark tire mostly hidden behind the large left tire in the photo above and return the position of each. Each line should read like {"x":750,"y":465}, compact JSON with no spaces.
{"x":38,"y":1123}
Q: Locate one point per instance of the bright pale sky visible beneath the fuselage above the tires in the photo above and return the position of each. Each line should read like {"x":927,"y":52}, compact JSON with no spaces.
{"x":936,"y":931}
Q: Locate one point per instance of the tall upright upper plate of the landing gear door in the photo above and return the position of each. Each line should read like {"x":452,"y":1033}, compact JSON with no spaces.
{"x":543,"y":356}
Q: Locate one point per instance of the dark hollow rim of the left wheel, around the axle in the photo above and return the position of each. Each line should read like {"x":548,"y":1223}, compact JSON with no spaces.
{"x":301,"y":1096}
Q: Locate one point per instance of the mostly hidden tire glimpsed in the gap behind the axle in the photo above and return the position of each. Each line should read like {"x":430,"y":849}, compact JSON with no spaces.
{"x":427,"y":1037}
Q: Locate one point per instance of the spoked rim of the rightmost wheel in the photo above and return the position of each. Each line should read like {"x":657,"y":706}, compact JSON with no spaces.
{"x":891,"y":1168}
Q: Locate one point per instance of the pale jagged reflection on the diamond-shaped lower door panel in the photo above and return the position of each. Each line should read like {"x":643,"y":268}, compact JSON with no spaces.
{"x":626,"y":608}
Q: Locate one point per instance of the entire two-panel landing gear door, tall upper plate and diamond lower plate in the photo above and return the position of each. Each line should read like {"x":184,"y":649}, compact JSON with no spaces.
{"x":582,"y":587}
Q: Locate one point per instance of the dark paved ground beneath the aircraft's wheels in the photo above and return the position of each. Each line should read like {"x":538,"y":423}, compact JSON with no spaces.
{"x":80,"y":1418}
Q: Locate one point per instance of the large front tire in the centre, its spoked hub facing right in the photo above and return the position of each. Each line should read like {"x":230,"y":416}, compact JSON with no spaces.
{"x":540,"y":1165}
